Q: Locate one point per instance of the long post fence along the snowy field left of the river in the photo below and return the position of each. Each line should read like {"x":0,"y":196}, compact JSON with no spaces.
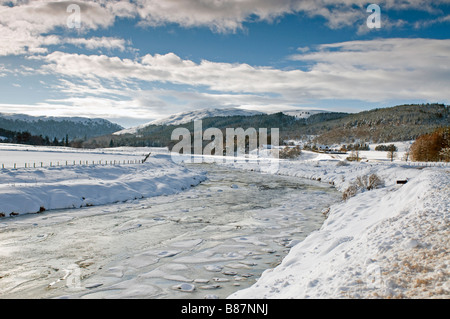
{"x":71,"y":163}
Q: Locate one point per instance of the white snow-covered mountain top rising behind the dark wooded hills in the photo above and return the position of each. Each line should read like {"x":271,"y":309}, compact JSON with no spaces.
{"x":186,"y":117}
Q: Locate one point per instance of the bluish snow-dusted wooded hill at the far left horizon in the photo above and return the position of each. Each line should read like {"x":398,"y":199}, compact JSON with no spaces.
{"x":58,"y":127}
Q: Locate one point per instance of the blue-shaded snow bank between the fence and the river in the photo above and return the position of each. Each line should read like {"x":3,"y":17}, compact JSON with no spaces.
{"x":31,"y":190}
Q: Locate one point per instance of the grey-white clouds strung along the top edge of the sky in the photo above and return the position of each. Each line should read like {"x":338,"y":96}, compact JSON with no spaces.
{"x":26,"y":26}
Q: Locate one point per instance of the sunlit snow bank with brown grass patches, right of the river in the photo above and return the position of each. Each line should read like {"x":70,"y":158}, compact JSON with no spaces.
{"x":387,"y":242}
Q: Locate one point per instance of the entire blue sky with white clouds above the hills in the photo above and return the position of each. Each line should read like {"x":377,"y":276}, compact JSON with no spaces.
{"x":135,"y":61}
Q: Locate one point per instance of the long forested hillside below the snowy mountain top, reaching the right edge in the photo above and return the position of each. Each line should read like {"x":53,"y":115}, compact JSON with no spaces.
{"x":399,"y":123}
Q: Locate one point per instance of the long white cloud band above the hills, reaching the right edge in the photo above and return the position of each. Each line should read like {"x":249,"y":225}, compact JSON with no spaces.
{"x":375,"y":70}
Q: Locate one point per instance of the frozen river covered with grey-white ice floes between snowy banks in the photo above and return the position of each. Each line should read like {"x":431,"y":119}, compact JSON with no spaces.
{"x":206,"y":242}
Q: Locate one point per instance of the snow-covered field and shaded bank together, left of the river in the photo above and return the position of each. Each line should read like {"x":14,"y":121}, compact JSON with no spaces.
{"x":30,"y":190}
